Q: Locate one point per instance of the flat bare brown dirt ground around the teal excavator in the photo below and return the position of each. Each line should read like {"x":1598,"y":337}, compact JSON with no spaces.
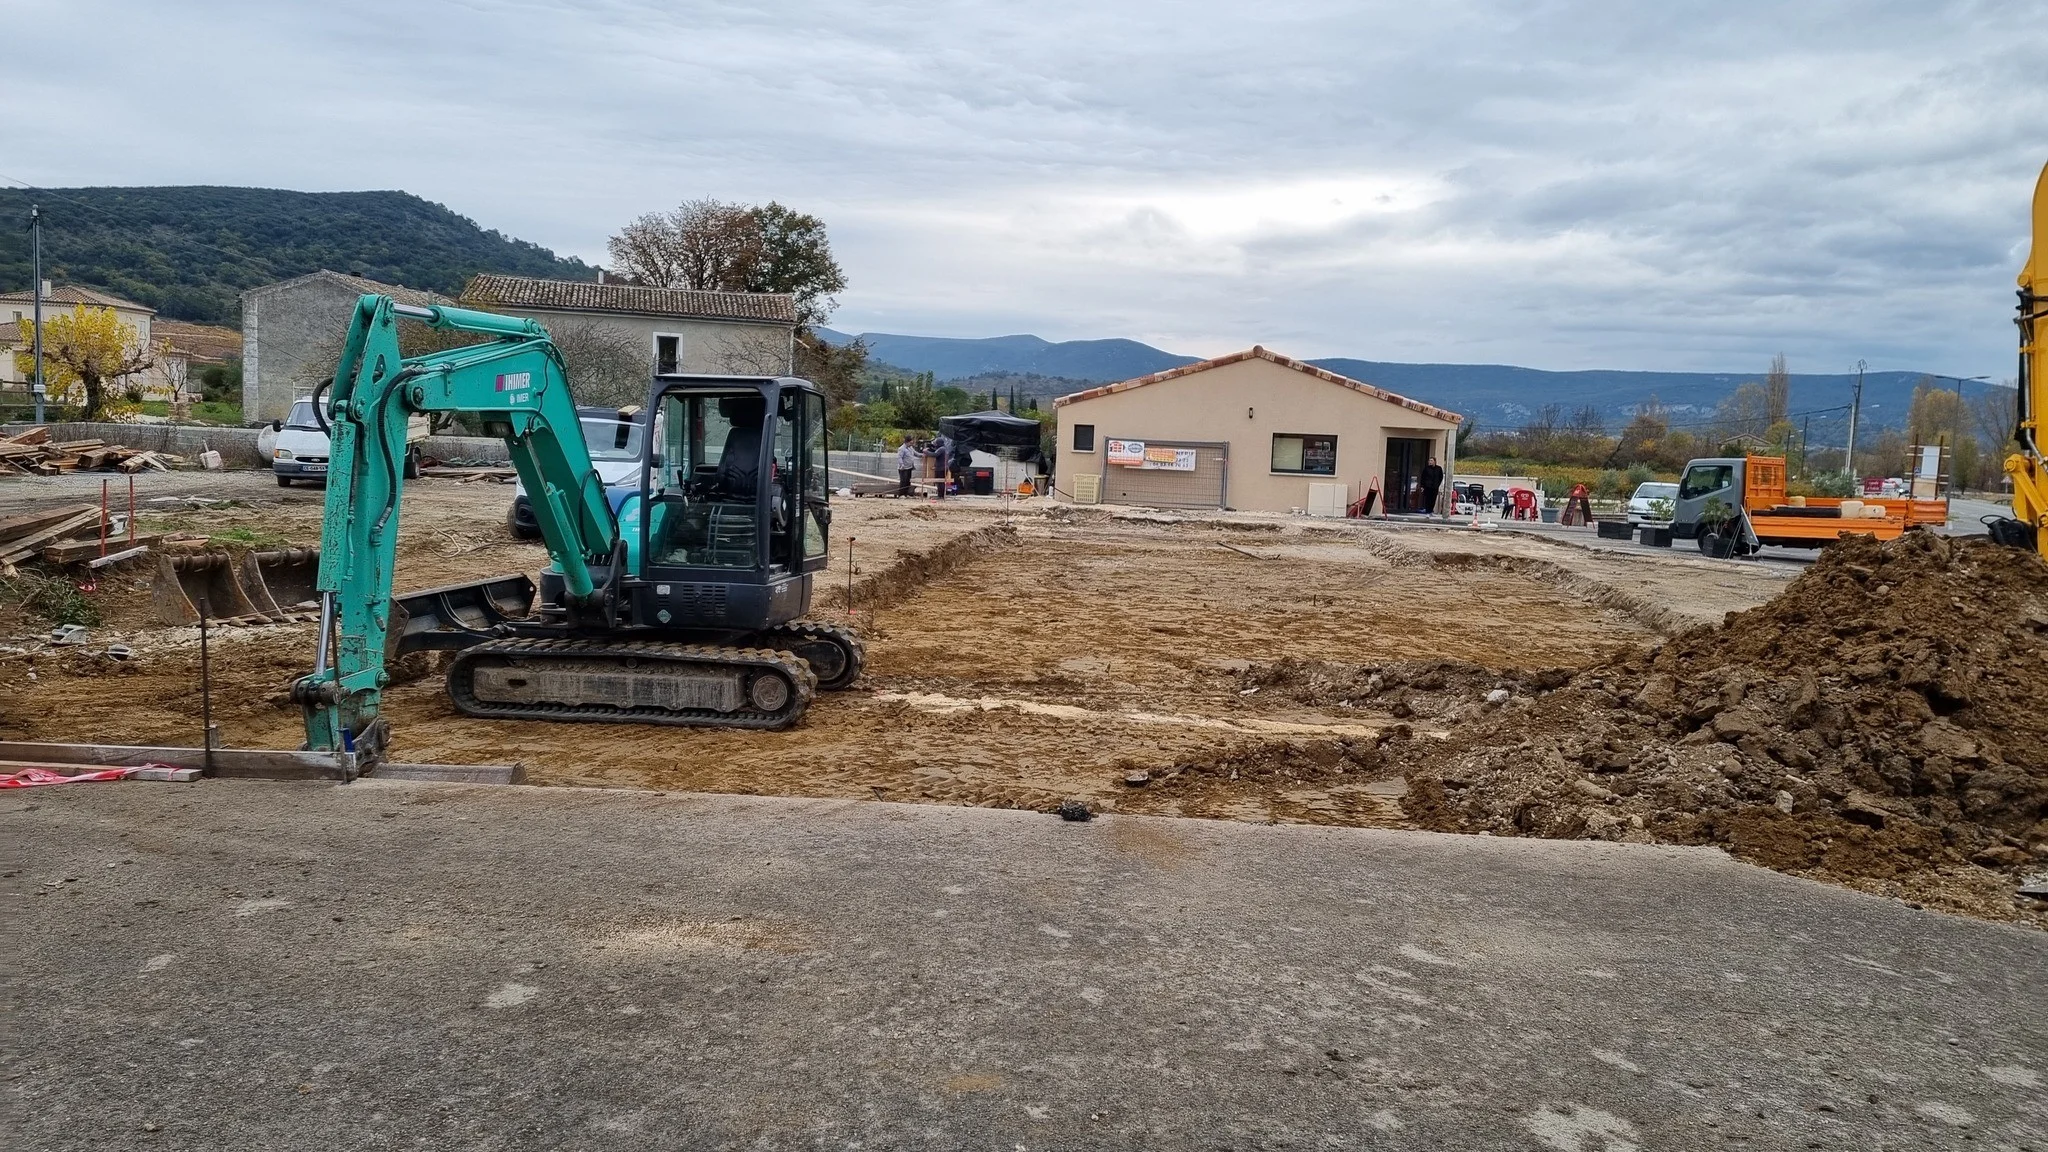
{"x":1019,"y":655}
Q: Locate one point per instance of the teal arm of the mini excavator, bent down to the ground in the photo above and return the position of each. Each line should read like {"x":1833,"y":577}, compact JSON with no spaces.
{"x":515,"y":386}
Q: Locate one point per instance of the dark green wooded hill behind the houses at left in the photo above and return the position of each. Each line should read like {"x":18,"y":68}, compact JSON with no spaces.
{"x":191,"y":251}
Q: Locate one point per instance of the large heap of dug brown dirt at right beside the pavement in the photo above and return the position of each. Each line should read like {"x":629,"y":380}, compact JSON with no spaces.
{"x":1883,"y":725}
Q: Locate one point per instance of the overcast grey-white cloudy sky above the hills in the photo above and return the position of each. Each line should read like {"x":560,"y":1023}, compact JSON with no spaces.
{"x":1635,"y":186}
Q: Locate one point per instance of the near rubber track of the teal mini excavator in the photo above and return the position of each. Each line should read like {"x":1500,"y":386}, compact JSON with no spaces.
{"x":800,"y":675}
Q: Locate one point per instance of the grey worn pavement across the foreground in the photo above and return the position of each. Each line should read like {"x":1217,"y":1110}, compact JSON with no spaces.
{"x":243,"y":964}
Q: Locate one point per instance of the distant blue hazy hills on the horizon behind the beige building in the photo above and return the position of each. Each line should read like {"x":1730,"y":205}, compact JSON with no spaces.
{"x":1492,"y":395}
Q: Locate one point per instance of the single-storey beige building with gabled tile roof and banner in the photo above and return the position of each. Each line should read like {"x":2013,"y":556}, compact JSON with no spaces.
{"x":1254,"y":431}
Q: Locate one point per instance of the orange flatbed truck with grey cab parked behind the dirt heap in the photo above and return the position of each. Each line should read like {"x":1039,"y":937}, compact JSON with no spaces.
{"x":1756,"y":511}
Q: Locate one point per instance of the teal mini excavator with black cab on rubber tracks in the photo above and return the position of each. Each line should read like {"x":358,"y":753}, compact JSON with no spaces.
{"x":679,"y":602}
